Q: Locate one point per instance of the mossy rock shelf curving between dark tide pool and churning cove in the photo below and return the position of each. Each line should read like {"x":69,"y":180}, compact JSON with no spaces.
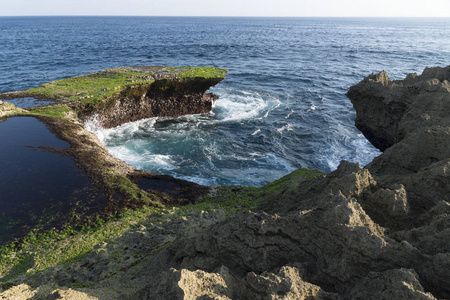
{"x":137,"y":92}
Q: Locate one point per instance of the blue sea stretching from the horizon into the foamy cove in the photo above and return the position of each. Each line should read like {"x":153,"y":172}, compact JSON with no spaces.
{"x":282,"y":106}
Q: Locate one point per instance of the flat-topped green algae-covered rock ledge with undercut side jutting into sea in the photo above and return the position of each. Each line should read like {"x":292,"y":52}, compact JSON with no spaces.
{"x":119,"y":95}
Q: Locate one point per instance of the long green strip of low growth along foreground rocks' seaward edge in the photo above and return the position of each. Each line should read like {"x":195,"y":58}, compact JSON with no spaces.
{"x":39,"y":251}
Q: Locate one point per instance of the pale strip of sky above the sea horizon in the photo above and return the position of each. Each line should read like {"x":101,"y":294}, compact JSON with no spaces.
{"x":307,"y":8}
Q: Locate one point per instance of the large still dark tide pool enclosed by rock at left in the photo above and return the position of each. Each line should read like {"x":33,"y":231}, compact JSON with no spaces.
{"x":37,"y":186}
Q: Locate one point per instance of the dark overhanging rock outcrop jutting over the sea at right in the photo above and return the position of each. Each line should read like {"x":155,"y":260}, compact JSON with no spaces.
{"x":388,"y":111}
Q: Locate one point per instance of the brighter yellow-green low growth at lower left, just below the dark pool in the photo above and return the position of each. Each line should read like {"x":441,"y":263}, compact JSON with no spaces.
{"x":40,"y":251}
